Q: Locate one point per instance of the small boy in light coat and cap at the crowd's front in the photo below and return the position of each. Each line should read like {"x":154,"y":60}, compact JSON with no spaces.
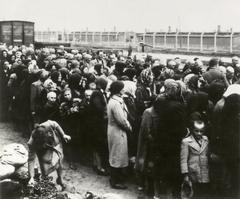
{"x":194,"y":159}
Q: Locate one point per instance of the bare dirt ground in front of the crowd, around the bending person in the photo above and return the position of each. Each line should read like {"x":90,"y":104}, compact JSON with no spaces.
{"x":83,"y":179}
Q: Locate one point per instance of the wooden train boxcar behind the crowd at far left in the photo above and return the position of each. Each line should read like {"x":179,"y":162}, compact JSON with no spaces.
{"x":17,"y":32}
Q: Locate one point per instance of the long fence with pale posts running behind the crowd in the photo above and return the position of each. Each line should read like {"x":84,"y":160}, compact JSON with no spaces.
{"x":182,"y":41}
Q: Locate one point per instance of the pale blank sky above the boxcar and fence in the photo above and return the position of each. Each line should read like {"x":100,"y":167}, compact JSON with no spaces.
{"x":125,"y":15}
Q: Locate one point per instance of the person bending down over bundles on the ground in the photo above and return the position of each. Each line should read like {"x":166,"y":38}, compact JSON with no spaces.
{"x":46,"y":143}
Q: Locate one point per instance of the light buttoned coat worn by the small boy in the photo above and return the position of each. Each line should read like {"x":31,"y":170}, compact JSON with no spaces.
{"x":194,"y":159}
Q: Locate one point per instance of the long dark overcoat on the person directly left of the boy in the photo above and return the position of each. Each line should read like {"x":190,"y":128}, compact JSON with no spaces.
{"x":166,"y":144}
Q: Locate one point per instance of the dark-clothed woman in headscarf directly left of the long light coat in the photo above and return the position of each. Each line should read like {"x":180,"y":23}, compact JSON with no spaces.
{"x":98,"y":111}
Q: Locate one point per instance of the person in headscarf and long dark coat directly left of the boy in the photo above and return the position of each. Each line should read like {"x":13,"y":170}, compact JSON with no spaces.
{"x":166,"y":145}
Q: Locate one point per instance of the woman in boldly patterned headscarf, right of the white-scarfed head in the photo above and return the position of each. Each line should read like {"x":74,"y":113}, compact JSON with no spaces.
{"x":143,"y":91}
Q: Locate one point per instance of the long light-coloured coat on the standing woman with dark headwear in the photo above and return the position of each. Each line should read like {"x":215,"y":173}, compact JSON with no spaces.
{"x":117,"y":137}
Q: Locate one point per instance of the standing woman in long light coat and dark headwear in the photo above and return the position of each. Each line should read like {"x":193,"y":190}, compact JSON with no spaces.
{"x":118,"y":126}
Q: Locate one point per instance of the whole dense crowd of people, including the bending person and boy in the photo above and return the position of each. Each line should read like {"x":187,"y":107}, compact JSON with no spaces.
{"x":136,"y":111}
